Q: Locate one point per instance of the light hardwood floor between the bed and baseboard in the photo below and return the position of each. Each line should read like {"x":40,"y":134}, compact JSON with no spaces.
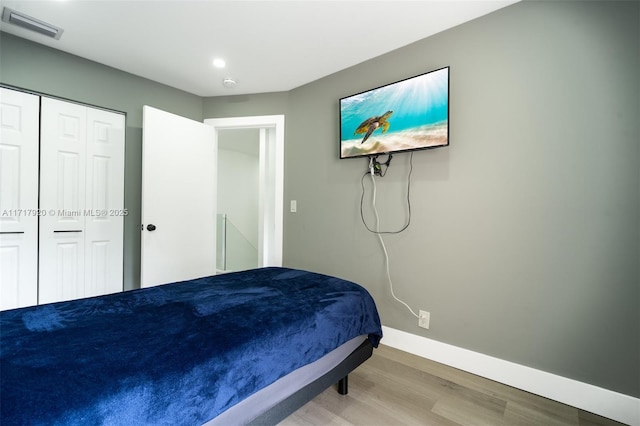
{"x":398,"y":388}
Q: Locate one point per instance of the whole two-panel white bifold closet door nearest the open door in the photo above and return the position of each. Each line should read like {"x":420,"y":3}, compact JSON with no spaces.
{"x":82,"y":186}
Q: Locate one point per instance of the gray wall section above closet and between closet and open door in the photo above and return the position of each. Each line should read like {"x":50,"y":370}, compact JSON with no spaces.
{"x":38,"y":68}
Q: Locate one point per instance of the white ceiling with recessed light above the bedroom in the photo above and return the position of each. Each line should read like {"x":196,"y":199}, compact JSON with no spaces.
{"x":269,"y":45}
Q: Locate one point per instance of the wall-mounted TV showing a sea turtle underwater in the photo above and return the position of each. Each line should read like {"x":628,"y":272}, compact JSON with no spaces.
{"x":406,"y":115}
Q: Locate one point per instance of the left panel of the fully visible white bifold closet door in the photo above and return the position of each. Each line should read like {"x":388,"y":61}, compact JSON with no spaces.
{"x":62,"y":194}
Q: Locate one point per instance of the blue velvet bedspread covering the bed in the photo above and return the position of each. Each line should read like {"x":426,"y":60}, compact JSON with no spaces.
{"x":176,"y":354}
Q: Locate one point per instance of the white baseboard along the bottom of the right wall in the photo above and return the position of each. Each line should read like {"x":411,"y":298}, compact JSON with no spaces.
{"x":620,"y":407}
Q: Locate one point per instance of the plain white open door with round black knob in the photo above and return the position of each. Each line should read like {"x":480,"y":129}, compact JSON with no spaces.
{"x":178,"y":199}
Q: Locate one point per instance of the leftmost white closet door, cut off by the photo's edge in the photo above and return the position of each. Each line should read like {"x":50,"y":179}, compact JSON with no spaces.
{"x":18,"y":199}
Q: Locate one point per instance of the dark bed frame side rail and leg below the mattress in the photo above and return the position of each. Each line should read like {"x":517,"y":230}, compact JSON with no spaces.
{"x":339,"y":375}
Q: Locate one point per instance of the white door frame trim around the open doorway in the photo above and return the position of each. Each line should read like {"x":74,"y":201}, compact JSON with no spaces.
{"x":271,"y":179}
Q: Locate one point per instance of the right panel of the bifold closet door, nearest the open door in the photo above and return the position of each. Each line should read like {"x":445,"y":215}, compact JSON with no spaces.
{"x":104,"y":220}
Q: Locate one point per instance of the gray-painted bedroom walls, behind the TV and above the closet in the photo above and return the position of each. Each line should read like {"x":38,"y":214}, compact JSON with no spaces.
{"x":524,"y":242}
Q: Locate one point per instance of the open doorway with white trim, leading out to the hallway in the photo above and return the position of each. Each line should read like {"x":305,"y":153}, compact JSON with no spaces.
{"x":267,"y":139}
